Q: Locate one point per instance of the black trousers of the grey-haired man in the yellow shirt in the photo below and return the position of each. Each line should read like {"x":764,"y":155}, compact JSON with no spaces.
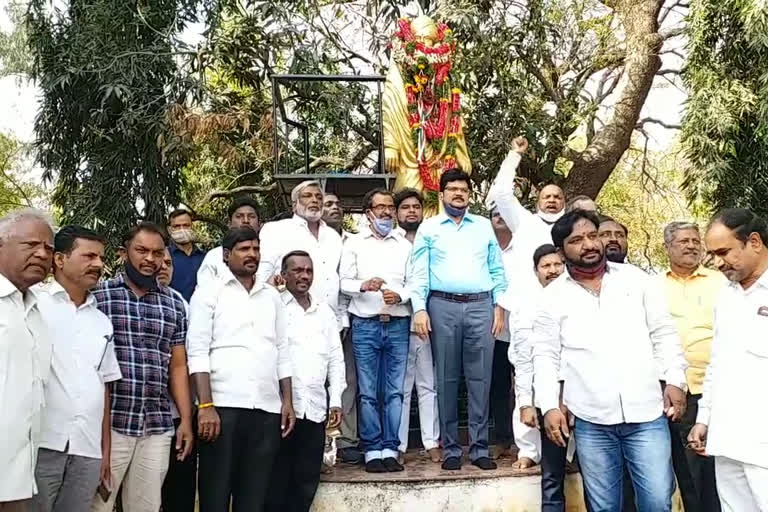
{"x":695,"y":474}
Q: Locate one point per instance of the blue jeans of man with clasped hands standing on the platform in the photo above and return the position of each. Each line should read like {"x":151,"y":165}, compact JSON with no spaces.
{"x":381,"y":354}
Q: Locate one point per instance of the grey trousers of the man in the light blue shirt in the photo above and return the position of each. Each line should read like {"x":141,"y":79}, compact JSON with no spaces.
{"x":461,"y":338}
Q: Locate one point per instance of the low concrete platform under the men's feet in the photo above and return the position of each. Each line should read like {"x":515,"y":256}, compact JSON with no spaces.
{"x":425,"y":487}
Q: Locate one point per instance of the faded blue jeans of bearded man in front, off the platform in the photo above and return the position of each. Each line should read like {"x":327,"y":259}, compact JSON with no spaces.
{"x":644,"y":448}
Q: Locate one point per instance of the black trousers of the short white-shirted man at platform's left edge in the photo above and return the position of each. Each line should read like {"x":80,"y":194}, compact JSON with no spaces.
{"x":296,"y":472}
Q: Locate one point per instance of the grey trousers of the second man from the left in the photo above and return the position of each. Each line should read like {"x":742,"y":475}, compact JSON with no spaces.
{"x":66,"y":483}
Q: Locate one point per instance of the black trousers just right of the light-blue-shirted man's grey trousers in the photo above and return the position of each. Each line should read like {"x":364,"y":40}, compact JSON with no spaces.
{"x":501,"y":386}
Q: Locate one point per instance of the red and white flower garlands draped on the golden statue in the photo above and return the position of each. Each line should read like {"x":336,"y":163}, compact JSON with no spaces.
{"x":426,"y":70}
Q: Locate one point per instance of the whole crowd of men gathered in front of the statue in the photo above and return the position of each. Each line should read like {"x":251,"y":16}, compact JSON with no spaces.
{"x":219,"y":374}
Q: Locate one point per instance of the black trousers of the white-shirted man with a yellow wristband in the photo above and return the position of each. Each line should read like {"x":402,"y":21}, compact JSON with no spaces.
{"x":238,"y":464}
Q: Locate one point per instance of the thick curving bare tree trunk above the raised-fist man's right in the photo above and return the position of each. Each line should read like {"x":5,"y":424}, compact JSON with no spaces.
{"x":591,"y":169}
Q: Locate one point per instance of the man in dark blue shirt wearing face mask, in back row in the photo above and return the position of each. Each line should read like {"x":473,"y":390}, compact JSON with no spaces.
{"x":187,"y":257}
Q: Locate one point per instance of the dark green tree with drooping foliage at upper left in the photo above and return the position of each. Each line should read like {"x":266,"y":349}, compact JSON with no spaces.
{"x":107,"y":74}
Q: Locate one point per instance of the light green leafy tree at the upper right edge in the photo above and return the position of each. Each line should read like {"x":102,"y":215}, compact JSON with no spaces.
{"x":725,"y":127}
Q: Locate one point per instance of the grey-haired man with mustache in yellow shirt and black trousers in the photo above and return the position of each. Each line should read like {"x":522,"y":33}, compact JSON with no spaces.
{"x":691,"y":291}
